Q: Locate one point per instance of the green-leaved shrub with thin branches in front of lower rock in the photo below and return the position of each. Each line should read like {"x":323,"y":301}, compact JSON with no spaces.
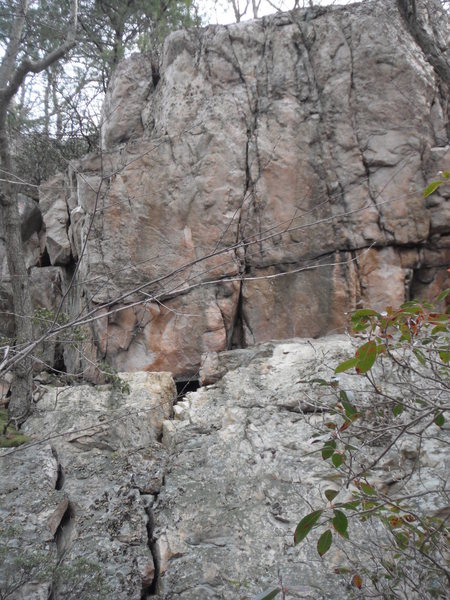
{"x":405,"y":361}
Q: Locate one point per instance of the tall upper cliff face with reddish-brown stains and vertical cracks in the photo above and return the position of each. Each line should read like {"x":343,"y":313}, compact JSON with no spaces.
{"x":267,"y":180}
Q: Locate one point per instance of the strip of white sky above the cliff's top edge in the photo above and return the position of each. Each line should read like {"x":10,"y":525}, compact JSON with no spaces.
{"x":221,"y":11}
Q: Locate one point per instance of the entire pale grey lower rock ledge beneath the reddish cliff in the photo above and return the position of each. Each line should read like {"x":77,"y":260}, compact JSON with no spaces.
{"x":207,"y":510}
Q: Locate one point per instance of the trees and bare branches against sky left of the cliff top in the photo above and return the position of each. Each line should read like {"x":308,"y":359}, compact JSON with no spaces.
{"x":55,"y":117}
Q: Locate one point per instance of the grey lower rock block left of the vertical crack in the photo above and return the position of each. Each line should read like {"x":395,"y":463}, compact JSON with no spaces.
{"x":85,"y":491}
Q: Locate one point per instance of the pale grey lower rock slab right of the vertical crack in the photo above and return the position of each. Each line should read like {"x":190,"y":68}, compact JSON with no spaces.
{"x":243,"y":471}
